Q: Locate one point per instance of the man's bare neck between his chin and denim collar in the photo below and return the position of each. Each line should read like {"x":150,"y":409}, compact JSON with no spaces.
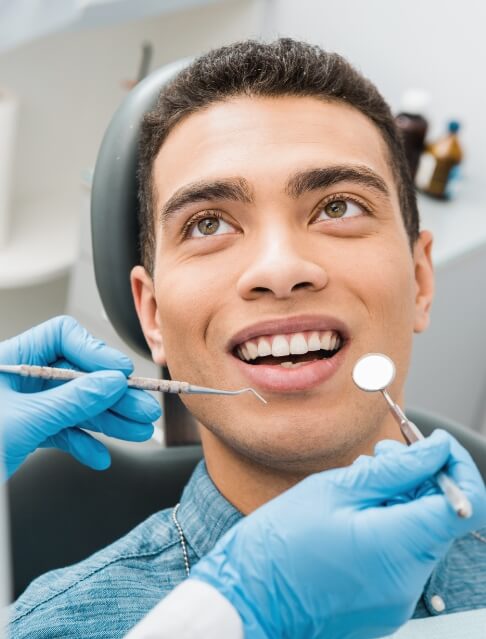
{"x":248,"y":485}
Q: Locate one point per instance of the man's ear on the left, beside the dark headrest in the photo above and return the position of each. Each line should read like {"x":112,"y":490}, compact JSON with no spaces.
{"x":146,"y":306}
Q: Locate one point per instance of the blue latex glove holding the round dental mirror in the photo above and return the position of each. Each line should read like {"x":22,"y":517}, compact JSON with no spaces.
{"x":334,"y":557}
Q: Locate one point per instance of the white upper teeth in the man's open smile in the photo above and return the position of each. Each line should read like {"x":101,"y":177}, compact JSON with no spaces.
{"x":292,"y":344}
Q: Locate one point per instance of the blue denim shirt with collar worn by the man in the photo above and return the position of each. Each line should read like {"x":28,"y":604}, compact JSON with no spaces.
{"x":107,"y":594}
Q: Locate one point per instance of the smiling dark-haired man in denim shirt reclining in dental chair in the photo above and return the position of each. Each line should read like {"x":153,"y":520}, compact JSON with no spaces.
{"x":280,"y":243}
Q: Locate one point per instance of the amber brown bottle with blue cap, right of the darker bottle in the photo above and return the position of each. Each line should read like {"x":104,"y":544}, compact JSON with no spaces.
{"x":439,"y":163}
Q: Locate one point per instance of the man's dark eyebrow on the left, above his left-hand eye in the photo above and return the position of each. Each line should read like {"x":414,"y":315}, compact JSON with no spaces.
{"x":236,"y":189}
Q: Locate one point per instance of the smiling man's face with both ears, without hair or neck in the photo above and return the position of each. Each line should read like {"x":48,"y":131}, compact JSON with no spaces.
{"x":278,"y":230}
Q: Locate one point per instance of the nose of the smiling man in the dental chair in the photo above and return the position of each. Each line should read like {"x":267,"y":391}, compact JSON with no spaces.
{"x":280,"y":267}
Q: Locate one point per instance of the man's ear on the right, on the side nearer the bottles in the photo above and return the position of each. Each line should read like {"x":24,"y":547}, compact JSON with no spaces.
{"x":424,"y":280}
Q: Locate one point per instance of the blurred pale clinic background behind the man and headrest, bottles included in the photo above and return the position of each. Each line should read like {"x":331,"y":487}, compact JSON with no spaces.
{"x":65,"y":66}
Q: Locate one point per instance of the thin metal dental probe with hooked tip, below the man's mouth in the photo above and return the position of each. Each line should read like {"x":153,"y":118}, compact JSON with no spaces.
{"x":142,"y":383}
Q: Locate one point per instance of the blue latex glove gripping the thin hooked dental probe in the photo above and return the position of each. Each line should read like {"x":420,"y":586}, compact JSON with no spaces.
{"x":42,"y":413}
